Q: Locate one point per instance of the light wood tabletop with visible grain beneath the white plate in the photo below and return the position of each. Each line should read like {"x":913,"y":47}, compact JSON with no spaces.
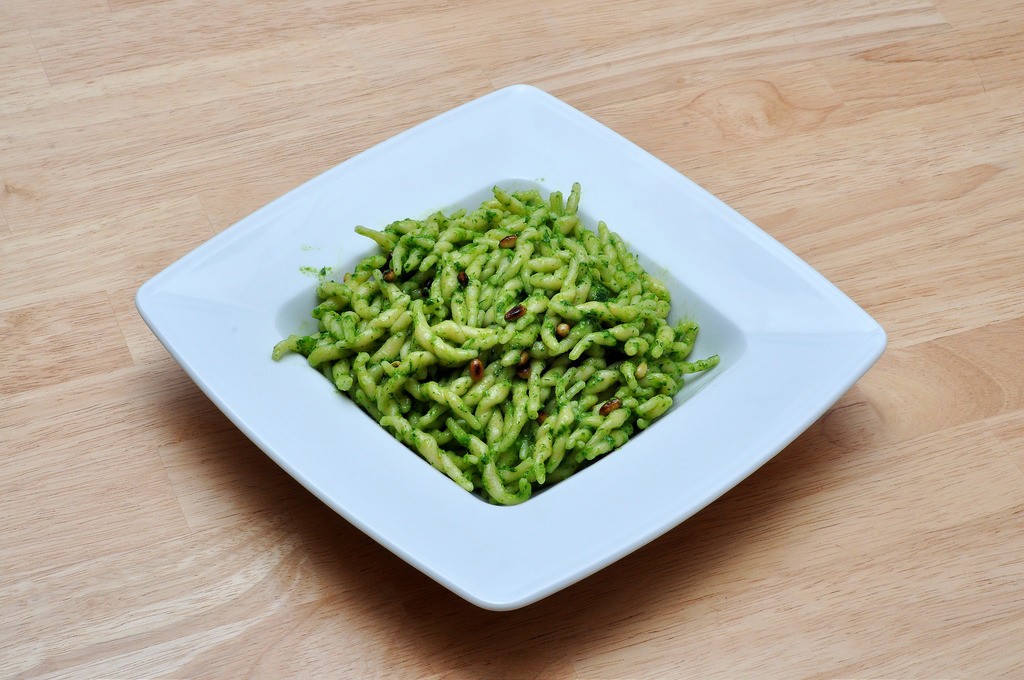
{"x":143,"y":536}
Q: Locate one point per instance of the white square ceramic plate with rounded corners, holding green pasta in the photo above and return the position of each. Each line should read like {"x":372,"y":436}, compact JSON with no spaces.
{"x":791,"y":346}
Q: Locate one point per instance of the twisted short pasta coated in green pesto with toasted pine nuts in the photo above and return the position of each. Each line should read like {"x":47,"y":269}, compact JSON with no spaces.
{"x":509,"y":347}
